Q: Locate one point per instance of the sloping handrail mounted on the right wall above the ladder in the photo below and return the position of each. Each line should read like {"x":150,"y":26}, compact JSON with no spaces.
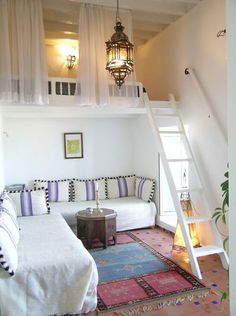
{"x":191,"y":73}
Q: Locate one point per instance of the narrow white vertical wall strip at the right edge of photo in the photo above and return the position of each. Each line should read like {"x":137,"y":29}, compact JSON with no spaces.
{"x":231,"y":39}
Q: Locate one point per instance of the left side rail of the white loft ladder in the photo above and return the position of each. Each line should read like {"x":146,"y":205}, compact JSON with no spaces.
{"x":174,"y":194}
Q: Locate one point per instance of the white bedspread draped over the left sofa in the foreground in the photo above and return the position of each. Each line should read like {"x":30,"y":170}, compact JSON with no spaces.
{"x":55,"y":275}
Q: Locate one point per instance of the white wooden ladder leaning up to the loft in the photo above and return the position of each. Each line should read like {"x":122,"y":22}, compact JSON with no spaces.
{"x":156,"y":114}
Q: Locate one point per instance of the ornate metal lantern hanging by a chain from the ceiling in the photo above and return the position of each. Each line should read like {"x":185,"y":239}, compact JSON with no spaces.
{"x":119,"y":53}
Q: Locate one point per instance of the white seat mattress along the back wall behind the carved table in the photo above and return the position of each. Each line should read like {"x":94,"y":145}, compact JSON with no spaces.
{"x":131,"y":212}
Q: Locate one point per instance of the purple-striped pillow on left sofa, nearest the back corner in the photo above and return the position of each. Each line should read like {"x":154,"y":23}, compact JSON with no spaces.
{"x":30,"y":202}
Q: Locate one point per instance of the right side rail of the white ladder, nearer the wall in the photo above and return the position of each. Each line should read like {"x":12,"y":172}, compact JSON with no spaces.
{"x":202,"y":182}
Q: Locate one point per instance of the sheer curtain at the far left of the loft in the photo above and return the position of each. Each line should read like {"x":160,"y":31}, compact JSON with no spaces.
{"x":23,"y":67}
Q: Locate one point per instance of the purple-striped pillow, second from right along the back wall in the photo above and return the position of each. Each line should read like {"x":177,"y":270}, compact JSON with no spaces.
{"x":120,"y":186}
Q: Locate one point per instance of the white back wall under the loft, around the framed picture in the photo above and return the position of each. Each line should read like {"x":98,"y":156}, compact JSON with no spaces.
{"x":34,"y":149}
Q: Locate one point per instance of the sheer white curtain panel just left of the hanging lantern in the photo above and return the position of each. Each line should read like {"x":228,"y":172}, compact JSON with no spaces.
{"x":92,"y":72}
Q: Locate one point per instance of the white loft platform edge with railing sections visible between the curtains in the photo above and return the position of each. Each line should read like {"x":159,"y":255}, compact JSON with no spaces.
{"x":63,"y":103}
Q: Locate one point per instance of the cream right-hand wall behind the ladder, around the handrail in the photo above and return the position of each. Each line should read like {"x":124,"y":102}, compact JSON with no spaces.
{"x":191,"y":42}
